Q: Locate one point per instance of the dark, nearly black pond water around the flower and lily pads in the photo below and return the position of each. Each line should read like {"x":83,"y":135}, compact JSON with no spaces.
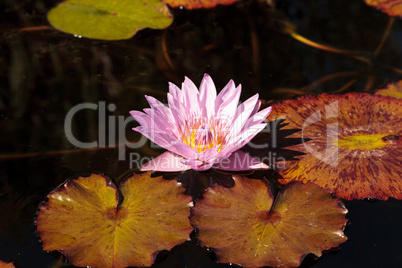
{"x":46,"y":73}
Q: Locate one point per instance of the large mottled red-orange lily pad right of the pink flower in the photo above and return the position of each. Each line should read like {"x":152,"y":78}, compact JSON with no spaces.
{"x":355,"y":150}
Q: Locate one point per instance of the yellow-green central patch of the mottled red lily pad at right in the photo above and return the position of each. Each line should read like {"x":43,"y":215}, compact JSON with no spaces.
{"x":362,"y":142}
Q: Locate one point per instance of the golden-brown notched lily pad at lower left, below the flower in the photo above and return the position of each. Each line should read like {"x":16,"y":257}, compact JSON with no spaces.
{"x":84,"y":220}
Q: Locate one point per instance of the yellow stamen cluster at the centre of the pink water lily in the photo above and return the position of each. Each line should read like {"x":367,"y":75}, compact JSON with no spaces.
{"x":203,"y":134}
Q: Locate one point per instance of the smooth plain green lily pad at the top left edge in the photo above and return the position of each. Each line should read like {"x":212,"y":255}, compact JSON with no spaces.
{"x":109,"y":19}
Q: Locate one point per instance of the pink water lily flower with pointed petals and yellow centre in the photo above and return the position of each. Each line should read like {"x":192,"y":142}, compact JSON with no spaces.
{"x":201,"y":129}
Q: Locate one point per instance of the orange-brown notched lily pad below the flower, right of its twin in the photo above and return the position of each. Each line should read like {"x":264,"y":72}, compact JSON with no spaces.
{"x":245,"y":226}
